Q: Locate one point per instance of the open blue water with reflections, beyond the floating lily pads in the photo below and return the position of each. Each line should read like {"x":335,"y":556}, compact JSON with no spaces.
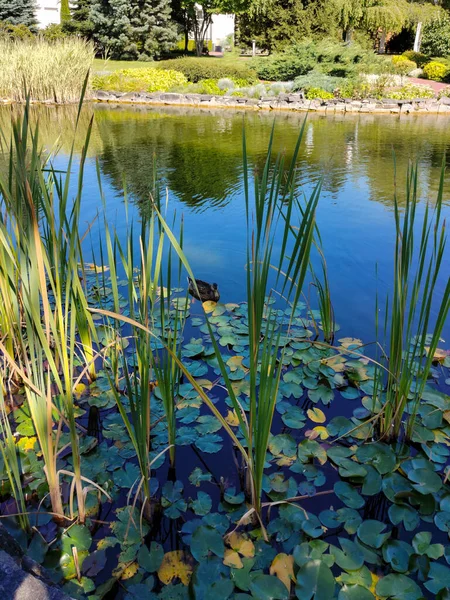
{"x":199,"y":158}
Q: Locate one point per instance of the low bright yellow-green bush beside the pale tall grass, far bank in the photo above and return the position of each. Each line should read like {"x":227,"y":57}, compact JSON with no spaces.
{"x":139,"y":80}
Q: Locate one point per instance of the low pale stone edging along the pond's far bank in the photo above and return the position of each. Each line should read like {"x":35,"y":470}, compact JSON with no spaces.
{"x":285,"y":102}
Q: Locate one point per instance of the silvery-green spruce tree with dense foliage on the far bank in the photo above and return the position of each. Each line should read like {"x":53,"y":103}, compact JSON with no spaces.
{"x":139,"y":29}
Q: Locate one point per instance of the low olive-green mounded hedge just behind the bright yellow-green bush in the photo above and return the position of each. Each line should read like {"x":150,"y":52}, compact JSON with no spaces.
{"x":196,"y":69}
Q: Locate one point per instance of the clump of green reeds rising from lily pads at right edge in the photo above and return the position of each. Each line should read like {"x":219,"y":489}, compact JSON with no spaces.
{"x":410,"y":315}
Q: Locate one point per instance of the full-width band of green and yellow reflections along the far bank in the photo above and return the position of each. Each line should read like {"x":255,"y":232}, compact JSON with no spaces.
{"x":199,"y":152}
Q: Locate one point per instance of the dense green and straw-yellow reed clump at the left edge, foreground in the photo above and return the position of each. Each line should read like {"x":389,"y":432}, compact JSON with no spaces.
{"x":42,"y":271}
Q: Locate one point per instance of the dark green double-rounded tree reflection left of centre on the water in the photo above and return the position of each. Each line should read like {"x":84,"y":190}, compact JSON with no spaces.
{"x":196,"y":156}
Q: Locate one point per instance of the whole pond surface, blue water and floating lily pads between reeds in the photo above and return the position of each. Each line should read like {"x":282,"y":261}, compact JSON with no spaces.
{"x":361,"y":162}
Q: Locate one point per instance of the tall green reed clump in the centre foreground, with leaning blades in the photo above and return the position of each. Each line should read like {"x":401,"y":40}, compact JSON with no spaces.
{"x":272,"y":202}
